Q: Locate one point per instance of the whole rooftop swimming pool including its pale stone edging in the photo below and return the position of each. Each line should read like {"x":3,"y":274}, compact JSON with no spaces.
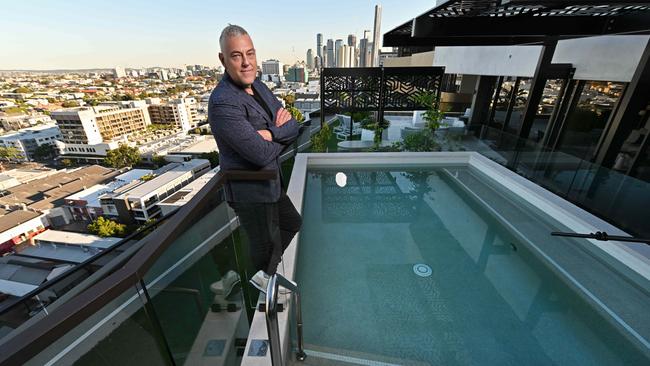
{"x":447,"y":259}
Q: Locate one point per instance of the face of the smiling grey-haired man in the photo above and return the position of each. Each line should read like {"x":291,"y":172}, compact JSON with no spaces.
{"x":239,"y":59}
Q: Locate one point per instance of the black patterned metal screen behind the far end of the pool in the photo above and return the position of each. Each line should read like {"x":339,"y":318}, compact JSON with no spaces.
{"x":377,"y":88}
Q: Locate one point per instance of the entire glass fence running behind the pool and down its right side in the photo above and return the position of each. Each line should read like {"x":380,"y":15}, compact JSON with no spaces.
{"x":615,"y":197}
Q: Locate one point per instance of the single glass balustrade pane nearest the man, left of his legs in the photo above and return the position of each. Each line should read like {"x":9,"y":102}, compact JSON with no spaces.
{"x":195,"y":288}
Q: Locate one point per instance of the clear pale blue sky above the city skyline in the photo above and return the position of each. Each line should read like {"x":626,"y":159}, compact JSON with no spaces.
{"x":73,"y":34}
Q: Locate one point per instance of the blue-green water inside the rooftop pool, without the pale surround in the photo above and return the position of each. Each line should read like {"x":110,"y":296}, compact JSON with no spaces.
{"x":481,"y":298}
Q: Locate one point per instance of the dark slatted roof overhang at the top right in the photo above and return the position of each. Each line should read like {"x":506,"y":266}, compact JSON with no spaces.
{"x":512,"y":22}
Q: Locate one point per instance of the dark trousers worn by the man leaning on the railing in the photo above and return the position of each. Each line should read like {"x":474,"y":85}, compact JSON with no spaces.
{"x":269,"y":228}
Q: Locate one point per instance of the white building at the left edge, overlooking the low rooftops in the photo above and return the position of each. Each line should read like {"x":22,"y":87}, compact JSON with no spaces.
{"x":27,"y":140}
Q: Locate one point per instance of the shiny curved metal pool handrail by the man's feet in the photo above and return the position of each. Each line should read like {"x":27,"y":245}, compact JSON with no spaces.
{"x":271,"y":312}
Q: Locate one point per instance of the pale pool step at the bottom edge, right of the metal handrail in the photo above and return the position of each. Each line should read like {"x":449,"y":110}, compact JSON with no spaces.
{"x":322,"y":356}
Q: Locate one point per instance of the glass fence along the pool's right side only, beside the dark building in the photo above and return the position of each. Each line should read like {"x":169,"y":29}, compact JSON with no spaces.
{"x":617,"y":198}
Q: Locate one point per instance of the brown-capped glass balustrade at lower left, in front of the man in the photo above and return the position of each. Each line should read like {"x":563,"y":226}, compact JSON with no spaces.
{"x":177,"y":300}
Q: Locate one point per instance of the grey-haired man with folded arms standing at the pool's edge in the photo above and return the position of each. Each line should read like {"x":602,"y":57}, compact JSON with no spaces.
{"x":251,"y":129}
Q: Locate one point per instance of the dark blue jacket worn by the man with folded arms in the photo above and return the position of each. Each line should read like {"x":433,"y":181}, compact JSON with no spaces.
{"x":235,"y":117}
